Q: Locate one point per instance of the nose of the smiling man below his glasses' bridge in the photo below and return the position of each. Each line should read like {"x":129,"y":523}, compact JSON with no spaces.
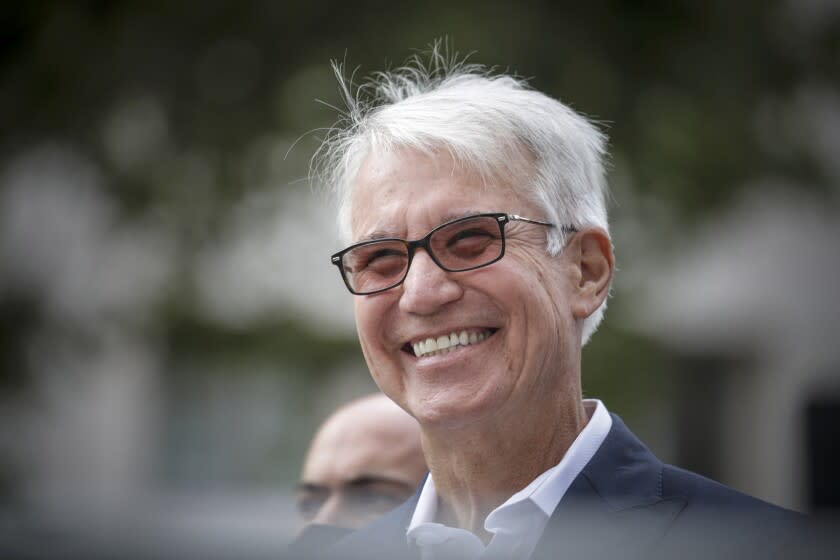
{"x":427,"y":287}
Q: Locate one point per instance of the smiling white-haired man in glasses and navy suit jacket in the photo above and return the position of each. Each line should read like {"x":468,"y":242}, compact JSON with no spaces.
{"x":480,"y":261}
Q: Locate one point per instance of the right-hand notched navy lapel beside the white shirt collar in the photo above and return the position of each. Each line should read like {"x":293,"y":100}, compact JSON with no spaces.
{"x":614,"y":508}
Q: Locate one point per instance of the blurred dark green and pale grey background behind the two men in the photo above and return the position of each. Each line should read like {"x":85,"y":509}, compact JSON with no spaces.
{"x":171,"y":331}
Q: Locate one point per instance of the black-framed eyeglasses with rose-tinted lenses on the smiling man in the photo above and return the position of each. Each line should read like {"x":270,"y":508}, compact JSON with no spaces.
{"x":464,"y":244}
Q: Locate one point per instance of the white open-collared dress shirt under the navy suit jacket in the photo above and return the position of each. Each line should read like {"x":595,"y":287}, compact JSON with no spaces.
{"x":517,"y":524}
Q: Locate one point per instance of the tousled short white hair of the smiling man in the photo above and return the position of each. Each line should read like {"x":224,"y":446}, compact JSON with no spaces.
{"x":493,"y":125}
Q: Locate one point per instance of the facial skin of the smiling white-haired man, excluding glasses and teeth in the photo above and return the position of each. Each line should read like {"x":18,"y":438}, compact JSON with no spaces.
{"x":531,"y":303}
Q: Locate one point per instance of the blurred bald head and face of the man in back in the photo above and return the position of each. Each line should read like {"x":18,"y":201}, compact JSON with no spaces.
{"x":365,"y":460}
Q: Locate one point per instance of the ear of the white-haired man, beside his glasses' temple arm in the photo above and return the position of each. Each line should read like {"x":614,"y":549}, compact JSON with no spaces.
{"x":593,"y":262}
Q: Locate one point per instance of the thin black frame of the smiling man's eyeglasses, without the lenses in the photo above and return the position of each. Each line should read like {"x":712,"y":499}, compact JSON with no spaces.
{"x":411,"y":246}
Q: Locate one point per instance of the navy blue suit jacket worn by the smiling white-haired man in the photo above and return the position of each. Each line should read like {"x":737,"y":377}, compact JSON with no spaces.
{"x":625,"y":503}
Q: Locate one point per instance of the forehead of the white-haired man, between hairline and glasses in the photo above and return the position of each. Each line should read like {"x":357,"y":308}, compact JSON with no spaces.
{"x":406,"y":192}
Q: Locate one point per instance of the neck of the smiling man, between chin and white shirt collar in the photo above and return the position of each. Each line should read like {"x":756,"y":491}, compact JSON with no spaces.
{"x":478,"y":467}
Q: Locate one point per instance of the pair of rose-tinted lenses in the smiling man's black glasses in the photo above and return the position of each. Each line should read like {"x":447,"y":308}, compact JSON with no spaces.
{"x":461,"y":245}
